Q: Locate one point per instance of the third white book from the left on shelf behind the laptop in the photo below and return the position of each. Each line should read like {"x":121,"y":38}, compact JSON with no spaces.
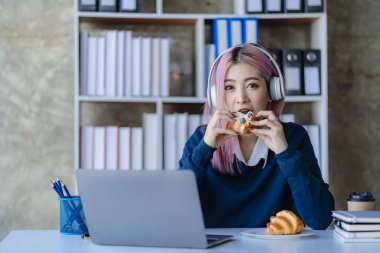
{"x":112,"y":141}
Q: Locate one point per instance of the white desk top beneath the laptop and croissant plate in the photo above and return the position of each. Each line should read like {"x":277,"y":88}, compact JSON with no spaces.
{"x":52,"y":241}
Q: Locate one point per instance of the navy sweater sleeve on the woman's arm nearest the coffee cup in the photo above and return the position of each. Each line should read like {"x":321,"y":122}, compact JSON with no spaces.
{"x":312,"y":198}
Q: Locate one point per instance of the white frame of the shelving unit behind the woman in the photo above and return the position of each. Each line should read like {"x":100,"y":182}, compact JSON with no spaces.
{"x":316,"y":23}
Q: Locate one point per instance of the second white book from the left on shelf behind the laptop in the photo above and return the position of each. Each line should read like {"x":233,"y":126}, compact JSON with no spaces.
{"x":99,"y":148}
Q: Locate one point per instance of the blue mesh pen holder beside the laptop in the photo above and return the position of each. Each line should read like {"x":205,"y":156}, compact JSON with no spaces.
{"x":72,"y":220}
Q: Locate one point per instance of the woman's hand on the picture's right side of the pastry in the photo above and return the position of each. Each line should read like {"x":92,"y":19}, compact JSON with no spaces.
{"x":272,"y":133}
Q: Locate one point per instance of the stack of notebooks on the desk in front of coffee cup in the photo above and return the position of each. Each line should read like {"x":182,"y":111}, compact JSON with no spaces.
{"x":357,"y":226}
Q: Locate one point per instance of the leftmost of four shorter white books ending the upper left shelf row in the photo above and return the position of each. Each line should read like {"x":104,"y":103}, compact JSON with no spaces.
{"x":136,"y":66}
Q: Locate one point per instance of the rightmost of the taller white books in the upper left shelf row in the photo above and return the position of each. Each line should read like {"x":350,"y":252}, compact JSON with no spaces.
{"x":128,"y":64}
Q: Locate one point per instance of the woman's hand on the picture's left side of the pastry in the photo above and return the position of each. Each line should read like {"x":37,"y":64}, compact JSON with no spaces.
{"x":215,"y":135}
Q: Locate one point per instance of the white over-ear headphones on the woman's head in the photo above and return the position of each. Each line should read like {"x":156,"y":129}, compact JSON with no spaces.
{"x":276,"y":83}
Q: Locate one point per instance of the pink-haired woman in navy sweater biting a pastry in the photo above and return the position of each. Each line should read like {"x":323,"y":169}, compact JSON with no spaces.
{"x":243,"y":180}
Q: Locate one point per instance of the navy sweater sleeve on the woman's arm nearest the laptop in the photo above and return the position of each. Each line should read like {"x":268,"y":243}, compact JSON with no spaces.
{"x":197,"y":154}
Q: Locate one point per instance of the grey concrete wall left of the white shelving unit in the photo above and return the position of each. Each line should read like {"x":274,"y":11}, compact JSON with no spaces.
{"x":36,"y":110}
